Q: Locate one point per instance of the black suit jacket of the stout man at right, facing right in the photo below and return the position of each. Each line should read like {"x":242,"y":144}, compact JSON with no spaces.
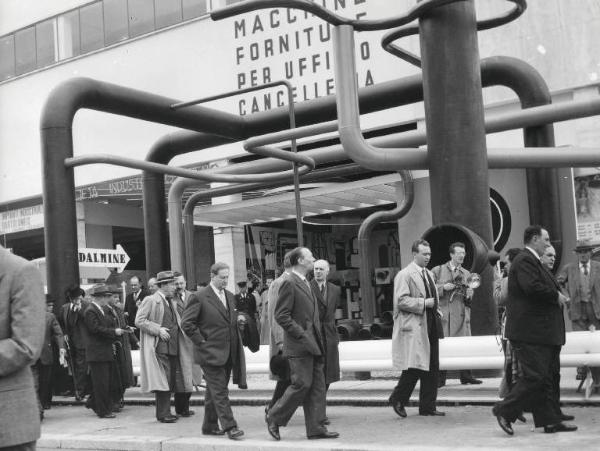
{"x":533,"y":314}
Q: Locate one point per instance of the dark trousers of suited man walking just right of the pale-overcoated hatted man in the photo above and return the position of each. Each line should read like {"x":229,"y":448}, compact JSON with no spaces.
{"x":217,"y":408}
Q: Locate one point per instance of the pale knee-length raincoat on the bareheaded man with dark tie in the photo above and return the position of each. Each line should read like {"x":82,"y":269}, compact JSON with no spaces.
{"x":410,"y":343}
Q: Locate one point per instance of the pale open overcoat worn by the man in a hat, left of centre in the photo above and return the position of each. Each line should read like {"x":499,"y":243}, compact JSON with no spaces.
{"x":148,"y":319}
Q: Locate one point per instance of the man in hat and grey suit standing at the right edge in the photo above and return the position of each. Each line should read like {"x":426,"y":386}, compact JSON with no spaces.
{"x":581,"y":283}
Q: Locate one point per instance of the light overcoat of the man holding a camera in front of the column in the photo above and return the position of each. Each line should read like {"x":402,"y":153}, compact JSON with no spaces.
{"x":456,"y":319}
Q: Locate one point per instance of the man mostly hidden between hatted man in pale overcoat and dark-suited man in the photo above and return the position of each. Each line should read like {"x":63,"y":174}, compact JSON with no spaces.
{"x":182,"y":298}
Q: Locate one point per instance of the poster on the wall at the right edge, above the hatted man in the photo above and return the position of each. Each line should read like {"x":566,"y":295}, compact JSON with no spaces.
{"x":586,"y":184}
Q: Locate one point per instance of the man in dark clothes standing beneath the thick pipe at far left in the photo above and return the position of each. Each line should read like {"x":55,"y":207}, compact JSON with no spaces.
{"x":73,"y":326}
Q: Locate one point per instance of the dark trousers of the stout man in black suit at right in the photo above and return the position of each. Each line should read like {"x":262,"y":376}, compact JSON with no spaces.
{"x":536,"y":388}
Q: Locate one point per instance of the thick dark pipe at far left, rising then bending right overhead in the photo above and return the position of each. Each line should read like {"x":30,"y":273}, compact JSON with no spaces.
{"x":56,"y":122}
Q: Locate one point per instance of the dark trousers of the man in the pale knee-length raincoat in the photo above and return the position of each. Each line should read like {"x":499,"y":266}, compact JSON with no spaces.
{"x":428,"y":379}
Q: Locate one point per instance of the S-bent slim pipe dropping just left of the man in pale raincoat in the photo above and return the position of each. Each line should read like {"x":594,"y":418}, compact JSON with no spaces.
{"x":364,"y":246}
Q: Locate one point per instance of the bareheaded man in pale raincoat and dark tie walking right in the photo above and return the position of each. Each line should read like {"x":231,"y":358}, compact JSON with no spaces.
{"x":415,"y":338}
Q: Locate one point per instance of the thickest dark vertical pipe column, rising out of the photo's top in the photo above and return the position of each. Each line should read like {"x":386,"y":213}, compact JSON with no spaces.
{"x":458,"y":169}
